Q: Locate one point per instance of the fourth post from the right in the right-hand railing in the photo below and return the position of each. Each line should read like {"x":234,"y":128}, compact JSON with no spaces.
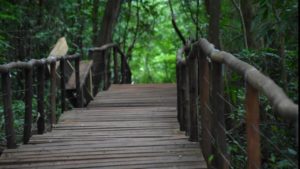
{"x":193,"y":90}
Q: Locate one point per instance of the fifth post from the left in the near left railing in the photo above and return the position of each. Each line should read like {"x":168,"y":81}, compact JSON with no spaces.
{"x":62,"y":84}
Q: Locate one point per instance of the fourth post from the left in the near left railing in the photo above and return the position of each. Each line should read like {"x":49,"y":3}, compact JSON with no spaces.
{"x":53,"y":93}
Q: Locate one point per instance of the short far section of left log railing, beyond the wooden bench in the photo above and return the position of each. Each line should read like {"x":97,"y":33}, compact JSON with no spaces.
{"x":104,"y":73}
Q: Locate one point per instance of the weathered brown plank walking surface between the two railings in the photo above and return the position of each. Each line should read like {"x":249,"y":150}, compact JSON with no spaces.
{"x":128,"y":126}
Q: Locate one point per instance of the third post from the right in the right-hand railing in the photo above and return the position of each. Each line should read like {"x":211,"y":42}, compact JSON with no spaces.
{"x":206,"y":116}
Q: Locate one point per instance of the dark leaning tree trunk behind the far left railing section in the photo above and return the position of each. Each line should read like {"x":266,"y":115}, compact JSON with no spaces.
{"x":110,"y":17}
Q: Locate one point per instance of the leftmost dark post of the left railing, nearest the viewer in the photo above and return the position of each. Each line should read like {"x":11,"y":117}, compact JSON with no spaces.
{"x":8,"y":114}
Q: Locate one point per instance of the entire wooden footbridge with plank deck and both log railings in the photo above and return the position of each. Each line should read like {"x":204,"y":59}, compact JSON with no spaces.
{"x":134,"y":126}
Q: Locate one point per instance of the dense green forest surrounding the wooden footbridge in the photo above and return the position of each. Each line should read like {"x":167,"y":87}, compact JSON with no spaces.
{"x":263,"y":33}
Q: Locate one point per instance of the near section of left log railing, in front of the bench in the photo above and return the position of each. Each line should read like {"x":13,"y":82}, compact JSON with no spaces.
{"x":37,"y":67}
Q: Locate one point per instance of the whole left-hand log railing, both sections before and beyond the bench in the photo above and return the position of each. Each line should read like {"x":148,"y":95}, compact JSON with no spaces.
{"x":38,"y":68}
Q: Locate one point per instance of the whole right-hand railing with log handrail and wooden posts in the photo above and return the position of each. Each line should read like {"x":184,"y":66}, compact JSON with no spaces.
{"x":201,"y":100}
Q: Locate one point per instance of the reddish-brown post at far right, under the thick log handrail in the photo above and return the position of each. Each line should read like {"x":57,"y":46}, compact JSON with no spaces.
{"x":252,"y":127}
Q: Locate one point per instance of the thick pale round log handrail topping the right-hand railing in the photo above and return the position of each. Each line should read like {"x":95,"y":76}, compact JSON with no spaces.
{"x":279,"y":100}
